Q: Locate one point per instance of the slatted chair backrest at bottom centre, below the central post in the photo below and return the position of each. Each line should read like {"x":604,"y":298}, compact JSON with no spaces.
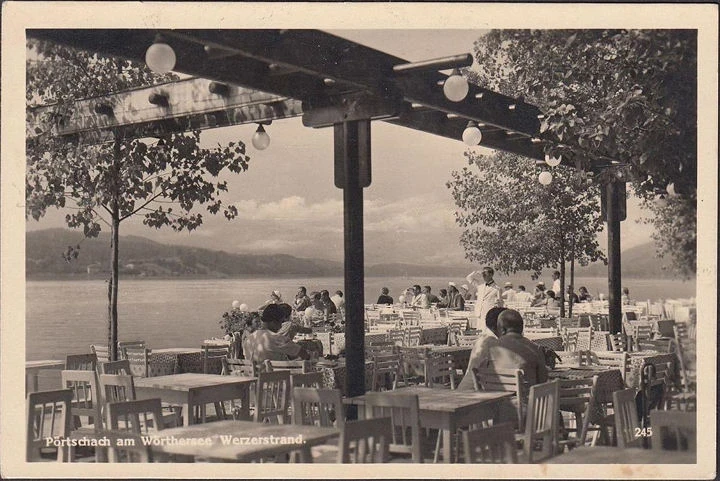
{"x":366,"y":441}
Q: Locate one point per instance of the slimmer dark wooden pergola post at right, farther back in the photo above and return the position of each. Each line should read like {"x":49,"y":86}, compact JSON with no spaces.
{"x":613,"y":191}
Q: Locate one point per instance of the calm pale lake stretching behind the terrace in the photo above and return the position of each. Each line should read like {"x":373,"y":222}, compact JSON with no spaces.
{"x":65,"y":317}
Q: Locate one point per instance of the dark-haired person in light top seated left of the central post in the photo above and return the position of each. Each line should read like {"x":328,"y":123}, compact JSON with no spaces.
{"x":266,"y":343}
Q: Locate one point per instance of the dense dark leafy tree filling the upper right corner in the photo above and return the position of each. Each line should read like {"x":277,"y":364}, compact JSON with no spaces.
{"x":623,"y":95}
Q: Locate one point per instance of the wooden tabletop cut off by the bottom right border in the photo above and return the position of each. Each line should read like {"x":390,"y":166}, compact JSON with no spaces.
{"x":615,"y":455}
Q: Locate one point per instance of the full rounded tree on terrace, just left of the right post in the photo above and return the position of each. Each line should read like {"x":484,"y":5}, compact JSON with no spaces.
{"x":514,"y":223}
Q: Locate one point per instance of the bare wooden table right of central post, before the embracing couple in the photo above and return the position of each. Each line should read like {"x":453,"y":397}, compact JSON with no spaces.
{"x":447,"y":410}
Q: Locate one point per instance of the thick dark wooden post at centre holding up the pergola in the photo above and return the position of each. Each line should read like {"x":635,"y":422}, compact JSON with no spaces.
{"x":352,"y":169}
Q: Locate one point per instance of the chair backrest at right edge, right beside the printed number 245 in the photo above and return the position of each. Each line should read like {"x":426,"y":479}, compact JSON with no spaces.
{"x":674,"y":430}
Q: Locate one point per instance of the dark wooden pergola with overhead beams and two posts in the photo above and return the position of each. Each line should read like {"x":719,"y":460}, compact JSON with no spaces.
{"x":256,"y":76}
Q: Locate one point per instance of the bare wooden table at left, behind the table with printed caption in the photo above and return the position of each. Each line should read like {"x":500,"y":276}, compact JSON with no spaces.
{"x":191,"y":389}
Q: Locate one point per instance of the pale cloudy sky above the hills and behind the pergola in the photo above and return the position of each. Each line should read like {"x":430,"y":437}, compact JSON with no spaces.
{"x":288,"y":203}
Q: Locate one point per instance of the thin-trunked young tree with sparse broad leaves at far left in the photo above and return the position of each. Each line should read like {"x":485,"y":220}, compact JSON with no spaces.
{"x":164,"y":181}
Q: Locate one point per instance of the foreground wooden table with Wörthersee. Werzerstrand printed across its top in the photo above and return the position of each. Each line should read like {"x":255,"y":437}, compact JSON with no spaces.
{"x":242,"y":441}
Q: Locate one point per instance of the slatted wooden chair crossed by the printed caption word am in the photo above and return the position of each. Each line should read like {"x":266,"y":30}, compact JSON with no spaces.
{"x":133,"y":417}
